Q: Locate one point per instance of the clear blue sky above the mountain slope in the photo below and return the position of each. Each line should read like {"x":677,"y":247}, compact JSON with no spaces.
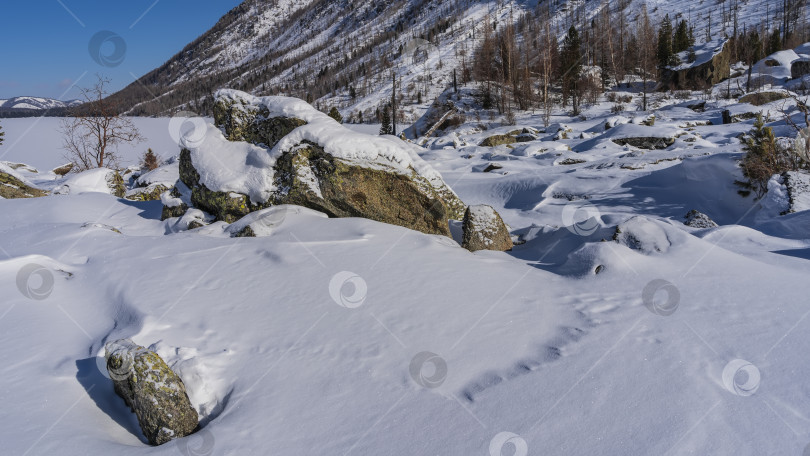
{"x":45,"y":44}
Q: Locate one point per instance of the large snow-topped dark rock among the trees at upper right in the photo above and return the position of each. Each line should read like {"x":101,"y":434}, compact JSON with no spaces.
{"x":711,"y":67}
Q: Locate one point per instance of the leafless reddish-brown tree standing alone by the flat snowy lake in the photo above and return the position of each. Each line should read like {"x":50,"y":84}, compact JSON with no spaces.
{"x":94,"y":131}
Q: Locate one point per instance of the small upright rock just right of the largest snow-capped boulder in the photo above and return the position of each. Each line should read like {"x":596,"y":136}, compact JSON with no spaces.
{"x":484,"y":230}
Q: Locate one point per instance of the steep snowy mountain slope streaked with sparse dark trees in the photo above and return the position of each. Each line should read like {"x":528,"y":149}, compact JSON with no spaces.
{"x":326,"y":51}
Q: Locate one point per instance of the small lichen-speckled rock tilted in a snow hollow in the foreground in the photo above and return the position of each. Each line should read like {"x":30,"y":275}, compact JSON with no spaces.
{"x":152,"y":390}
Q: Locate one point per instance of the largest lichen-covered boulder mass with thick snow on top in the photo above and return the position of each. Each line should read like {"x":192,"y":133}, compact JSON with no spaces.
{"x":298,"y":155}
